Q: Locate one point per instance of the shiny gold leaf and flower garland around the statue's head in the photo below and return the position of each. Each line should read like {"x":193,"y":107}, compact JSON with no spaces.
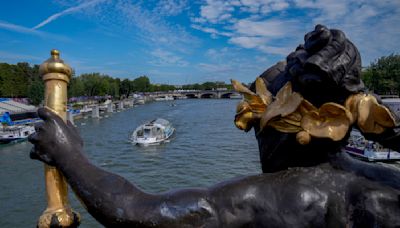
{"x":289,"y":112}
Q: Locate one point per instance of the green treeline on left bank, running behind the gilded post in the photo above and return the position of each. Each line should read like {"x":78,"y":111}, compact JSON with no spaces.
{"x":23,"y":80}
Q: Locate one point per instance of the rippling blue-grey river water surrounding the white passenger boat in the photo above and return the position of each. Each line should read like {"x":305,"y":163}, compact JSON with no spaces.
{"x":207,"y":148}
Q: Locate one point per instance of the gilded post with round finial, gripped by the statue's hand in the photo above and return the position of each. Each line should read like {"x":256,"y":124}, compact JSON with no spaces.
{"x":56,"y":75}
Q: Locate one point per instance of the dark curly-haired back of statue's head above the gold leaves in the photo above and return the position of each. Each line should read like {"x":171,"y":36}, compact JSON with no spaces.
{"x":327,"y":67}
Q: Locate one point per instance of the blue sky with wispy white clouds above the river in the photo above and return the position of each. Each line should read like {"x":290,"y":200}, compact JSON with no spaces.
{"x":183,"y":41}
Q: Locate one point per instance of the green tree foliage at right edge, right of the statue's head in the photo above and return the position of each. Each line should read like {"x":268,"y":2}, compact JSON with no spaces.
{"x":383,"y":75}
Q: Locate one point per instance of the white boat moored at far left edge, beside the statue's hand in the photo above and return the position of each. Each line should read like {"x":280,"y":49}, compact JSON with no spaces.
{"x":15,"y":133}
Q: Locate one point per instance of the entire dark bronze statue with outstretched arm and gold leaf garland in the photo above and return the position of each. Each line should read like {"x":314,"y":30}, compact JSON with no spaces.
{"x":310,"y":182}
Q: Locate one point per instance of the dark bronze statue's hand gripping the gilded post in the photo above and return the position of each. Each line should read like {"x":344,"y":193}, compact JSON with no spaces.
{"x":53,"y":138}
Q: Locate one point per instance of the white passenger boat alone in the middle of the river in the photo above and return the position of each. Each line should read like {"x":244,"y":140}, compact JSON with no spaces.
{"x":153,"y":132}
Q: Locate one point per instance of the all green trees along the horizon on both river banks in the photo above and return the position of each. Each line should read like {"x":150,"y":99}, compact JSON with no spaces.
{"x":23,"y":80}
